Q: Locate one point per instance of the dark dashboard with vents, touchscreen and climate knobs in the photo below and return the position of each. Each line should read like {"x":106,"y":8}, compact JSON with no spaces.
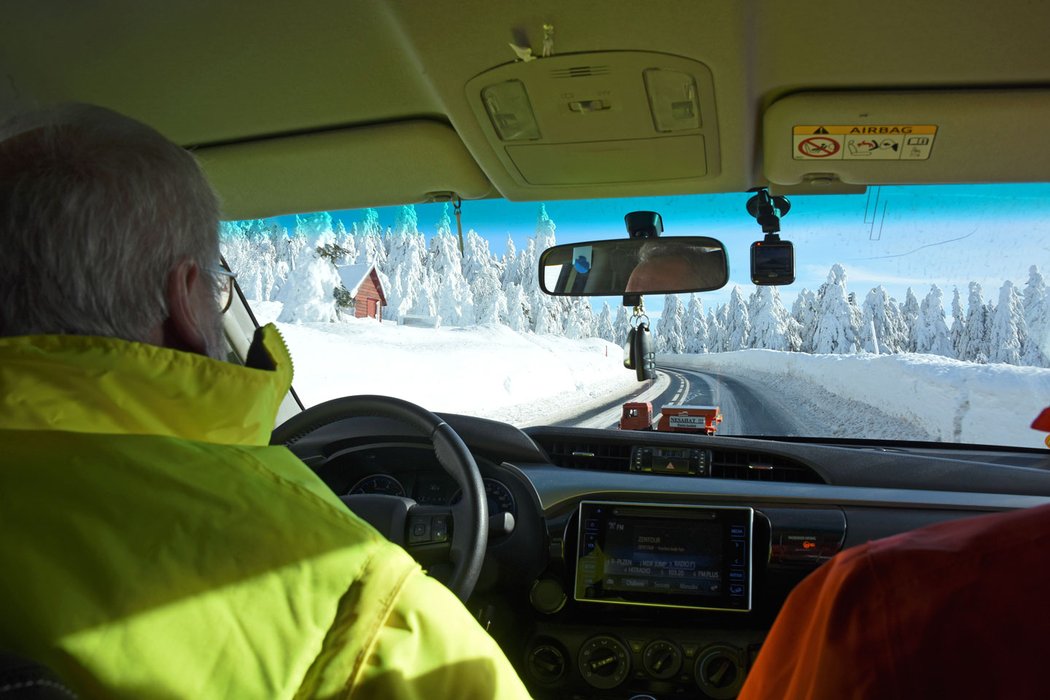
{"x":627,"y":564}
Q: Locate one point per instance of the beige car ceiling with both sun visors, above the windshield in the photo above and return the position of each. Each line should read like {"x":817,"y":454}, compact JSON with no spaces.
{"x":332,"y":104}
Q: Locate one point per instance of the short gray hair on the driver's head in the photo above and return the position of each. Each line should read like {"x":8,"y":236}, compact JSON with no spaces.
{"x":96,"y":211}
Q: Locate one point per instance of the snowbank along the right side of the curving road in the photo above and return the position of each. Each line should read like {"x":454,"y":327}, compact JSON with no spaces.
{"x":949,"y":400}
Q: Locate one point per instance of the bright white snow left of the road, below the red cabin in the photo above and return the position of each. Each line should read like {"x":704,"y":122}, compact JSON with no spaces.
{"x":489,"y":371}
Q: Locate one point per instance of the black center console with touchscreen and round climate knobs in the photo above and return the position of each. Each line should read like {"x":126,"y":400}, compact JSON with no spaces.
{"x":666,"y":600}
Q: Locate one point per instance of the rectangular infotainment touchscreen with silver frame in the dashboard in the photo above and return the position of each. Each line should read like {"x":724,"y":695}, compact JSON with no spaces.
{"x":676,"y":557}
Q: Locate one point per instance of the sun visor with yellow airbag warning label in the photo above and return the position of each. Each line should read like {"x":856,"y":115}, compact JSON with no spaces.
{"x":830,"y":141}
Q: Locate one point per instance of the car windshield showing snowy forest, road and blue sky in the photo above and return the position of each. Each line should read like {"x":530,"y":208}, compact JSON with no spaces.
{"x":918,"y":313}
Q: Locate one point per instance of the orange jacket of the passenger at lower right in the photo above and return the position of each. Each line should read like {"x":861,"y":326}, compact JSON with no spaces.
{"x":957,"y":610}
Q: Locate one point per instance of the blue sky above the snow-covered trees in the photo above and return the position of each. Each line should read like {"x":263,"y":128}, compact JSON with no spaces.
{"x":895,"y":237}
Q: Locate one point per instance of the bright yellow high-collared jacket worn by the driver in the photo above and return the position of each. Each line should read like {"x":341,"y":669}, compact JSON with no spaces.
{"x":153,"y":544}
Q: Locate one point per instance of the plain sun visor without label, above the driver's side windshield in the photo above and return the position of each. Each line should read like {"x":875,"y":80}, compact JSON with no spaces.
{"x":343,"y":169}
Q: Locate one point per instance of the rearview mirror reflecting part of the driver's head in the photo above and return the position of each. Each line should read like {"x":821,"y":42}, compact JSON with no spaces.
{"x":635,"y":266}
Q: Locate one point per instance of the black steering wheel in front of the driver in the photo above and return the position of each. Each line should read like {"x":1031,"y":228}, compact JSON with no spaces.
{"x":421,"y":529}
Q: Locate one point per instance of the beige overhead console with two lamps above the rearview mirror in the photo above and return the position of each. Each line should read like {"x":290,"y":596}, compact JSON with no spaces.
{"x":592,"y":122}
